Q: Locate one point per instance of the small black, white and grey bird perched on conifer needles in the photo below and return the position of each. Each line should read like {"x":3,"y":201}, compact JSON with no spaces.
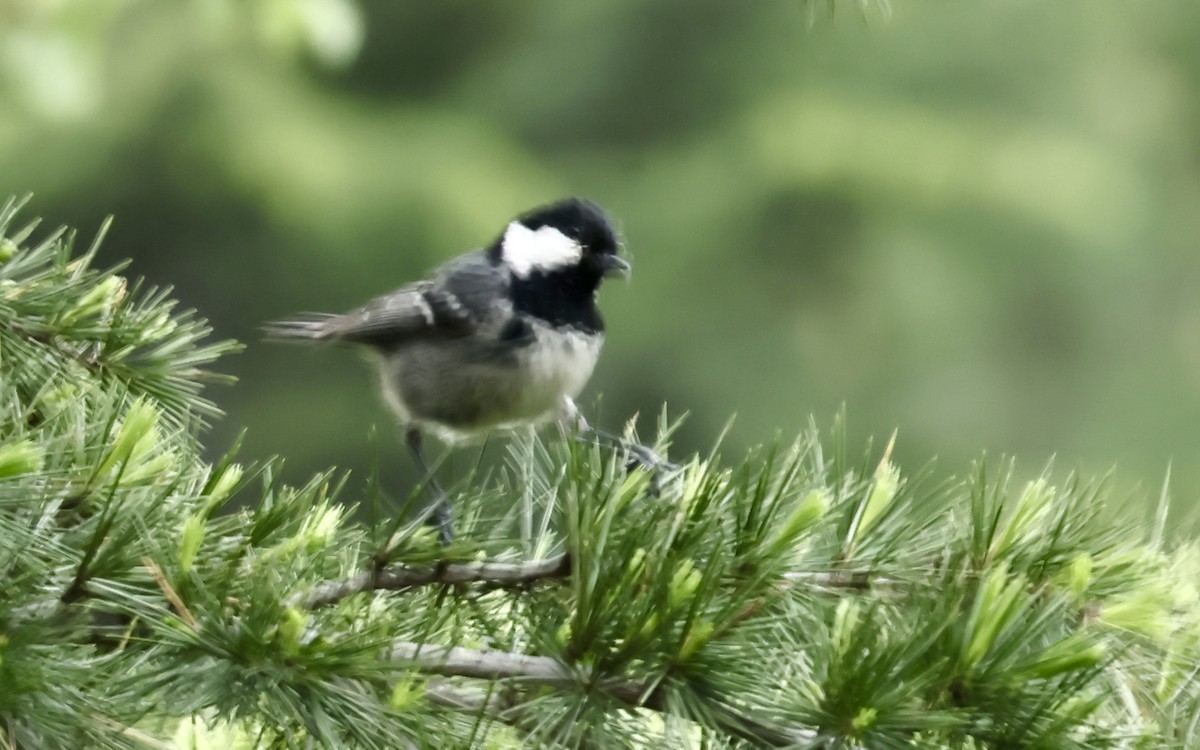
{"x":499,"y":338}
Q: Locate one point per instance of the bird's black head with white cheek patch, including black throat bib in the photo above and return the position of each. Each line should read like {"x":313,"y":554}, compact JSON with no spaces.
{"x":559,"y":255}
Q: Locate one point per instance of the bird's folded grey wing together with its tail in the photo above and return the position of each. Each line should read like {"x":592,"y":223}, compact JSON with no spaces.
{"x":453,"y":304}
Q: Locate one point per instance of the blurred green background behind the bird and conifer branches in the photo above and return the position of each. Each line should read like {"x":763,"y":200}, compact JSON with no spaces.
{"x":976,"y":223}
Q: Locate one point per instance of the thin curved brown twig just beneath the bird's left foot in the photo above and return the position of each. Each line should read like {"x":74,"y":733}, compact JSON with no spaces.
{"x":410,"y":577}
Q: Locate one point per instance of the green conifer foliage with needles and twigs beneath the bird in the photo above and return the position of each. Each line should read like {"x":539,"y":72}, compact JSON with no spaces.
{"x":791,"y":597}
